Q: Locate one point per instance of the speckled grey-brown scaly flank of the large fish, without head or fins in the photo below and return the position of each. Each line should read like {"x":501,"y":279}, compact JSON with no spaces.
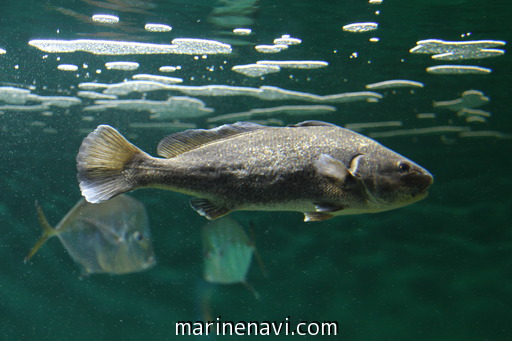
{"x":260,"y":168}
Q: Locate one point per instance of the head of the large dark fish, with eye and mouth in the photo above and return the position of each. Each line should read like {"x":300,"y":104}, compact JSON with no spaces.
{"x":392,"y":180}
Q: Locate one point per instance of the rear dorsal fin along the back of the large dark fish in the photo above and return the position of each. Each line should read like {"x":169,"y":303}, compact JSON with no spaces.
{"x":187,"y":140}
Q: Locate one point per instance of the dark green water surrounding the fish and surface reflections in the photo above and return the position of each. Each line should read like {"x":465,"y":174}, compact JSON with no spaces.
{"x":437,"y":270}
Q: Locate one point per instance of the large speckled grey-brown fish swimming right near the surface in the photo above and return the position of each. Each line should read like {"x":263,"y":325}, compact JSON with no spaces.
{"x":312,"y":167}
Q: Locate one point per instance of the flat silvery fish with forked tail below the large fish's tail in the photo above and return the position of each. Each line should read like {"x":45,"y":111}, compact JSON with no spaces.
{"x":112,"y":237}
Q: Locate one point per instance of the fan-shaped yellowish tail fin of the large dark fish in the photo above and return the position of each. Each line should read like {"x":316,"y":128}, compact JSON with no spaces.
{"x":101,"y":160}
